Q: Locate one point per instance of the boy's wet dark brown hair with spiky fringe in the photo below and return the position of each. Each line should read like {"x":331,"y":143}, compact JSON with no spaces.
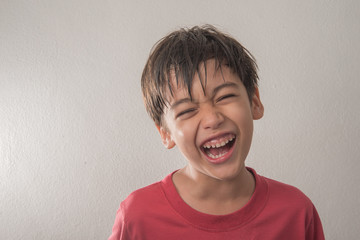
{"x":182,"y":52}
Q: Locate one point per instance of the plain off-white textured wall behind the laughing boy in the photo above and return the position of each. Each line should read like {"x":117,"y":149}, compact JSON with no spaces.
{"x":74,"y":136}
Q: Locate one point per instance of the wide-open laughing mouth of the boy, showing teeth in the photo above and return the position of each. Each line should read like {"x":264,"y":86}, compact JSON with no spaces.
{"x":217,"y":148}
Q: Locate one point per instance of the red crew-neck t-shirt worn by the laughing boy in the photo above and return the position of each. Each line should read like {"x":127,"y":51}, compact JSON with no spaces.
{"x":275,"y":211}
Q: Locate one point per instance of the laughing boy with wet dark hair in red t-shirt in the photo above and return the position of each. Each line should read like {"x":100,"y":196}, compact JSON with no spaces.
{"x":200,"y":88}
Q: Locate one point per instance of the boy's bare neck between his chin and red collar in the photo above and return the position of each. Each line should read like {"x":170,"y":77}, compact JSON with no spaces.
{"x":214,"y":196}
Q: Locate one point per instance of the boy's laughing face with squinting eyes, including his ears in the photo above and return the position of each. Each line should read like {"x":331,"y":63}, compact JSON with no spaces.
{"x":213,"y":130}
